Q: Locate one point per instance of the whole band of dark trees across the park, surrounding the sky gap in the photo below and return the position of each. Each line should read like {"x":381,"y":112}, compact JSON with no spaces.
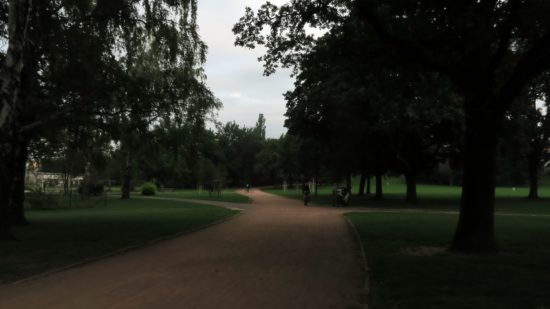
{"x":115,"y":90}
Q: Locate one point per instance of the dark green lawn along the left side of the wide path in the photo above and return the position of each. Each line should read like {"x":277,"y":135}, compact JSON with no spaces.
{"x":61,"y":237}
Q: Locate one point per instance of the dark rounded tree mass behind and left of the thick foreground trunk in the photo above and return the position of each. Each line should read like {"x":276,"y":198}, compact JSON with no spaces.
{"x":376,"y":115}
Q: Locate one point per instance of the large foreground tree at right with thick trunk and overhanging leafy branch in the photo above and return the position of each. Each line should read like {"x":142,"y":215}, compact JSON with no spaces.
{"x":489,"y":49}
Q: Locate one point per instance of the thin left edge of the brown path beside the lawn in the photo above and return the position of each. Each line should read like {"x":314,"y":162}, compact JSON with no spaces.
{"x":122,"y":250}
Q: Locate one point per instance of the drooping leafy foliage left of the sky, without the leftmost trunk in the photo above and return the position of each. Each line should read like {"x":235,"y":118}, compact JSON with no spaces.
{"x":143,"y":63}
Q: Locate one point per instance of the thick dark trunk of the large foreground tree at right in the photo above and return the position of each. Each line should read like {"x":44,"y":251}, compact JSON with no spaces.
{"x":475,"y":231}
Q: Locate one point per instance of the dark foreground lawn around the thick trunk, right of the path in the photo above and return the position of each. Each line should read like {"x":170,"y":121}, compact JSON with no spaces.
{"x":517,"y":277}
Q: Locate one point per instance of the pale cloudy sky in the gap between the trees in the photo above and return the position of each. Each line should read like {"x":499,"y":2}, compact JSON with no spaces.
{"x":234,"y":73}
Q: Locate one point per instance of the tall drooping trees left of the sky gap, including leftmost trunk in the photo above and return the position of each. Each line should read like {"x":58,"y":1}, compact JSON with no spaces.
{"x":80,"y":75}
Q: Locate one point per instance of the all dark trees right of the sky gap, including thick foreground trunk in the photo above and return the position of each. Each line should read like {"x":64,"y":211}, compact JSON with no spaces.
{"x":412,"y":76}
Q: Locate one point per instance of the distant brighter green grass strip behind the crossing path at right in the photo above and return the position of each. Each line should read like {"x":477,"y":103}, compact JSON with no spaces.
{"x":433,"y":197}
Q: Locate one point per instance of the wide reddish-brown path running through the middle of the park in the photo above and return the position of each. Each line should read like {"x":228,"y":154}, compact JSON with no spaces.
{"x":276,"y":254}
